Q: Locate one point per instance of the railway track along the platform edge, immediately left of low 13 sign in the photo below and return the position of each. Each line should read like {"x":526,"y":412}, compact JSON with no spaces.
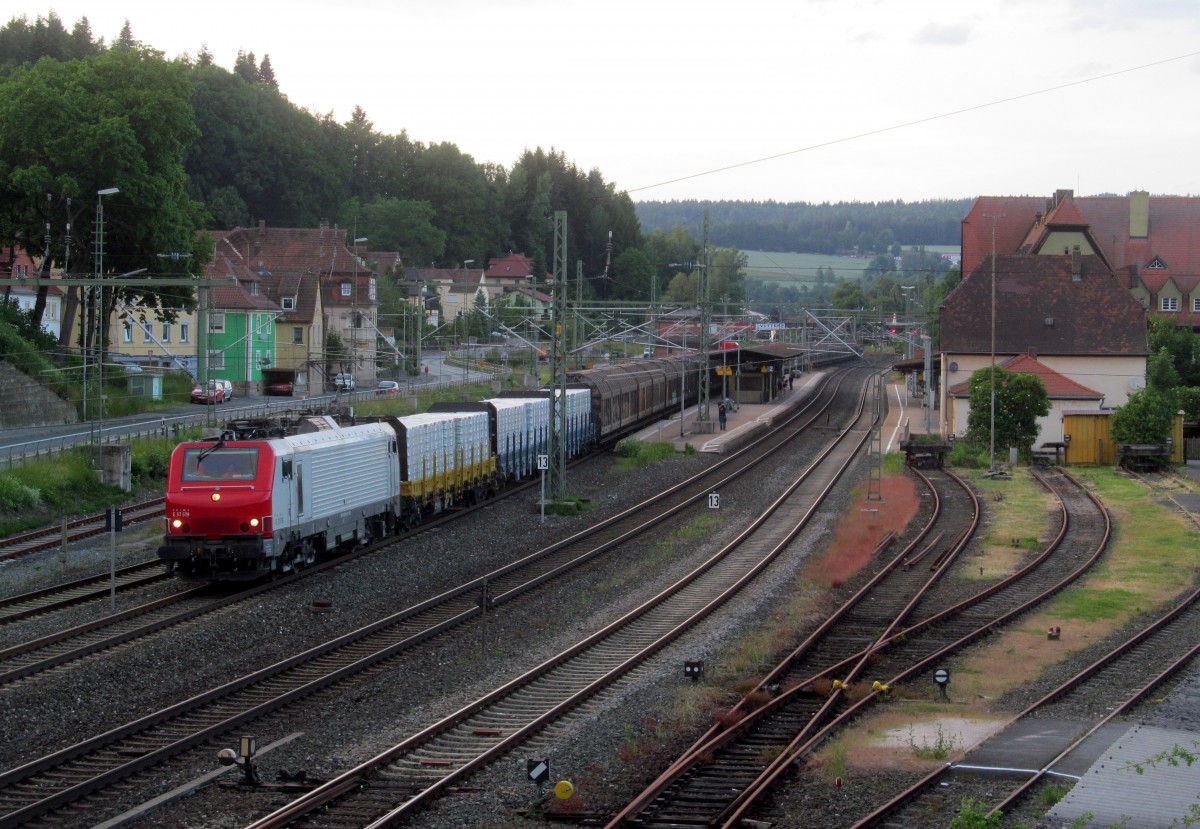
{"x":63,"y":779}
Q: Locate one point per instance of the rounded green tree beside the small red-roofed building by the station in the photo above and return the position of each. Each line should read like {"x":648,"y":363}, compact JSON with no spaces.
{"x":1021,"y":400}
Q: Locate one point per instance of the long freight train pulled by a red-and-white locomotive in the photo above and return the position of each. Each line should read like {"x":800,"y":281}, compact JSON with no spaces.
{"x":267,"y":497}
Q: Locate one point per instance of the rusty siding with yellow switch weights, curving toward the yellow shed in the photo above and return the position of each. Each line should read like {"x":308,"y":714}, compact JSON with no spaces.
{"x":723,"y":778}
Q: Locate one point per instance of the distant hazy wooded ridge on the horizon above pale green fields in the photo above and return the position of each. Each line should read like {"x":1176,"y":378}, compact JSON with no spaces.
{"x":800,"y":227}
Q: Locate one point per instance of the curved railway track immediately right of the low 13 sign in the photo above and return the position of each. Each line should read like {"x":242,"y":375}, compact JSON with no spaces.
{"x":386,"y":790}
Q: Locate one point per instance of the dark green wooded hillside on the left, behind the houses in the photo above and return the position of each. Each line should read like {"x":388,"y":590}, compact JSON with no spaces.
{"x":191,"y":145}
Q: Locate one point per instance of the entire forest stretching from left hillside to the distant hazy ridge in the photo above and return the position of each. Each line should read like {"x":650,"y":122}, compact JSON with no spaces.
{"x":182,"y":145}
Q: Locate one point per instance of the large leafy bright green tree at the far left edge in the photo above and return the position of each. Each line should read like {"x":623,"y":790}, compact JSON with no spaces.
{"x":121,"y":119}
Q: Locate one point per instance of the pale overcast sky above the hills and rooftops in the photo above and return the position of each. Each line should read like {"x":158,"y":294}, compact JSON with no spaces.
{"x":754,"y":100}
